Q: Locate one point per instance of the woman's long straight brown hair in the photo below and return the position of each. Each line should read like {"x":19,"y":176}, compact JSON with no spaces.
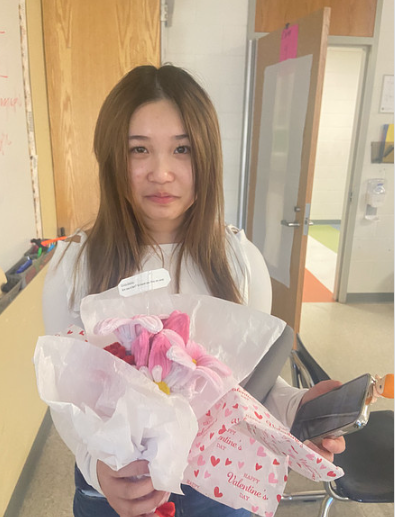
{"x":117,"y":243}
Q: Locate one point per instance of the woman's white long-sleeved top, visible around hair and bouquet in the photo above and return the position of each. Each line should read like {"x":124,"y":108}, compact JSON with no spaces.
{"x":248,"y":268}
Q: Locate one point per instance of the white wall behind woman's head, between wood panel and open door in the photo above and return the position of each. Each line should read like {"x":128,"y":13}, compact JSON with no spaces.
{"x":208,"y":39}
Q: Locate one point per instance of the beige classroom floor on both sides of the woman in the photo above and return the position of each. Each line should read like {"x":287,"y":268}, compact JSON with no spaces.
{"x":346,"y":339}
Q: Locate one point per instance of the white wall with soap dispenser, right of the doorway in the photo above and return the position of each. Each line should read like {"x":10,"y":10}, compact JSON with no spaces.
{"x":372,"y":260}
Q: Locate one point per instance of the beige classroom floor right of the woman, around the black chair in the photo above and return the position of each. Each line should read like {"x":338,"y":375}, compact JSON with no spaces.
{"x":347,"y":341}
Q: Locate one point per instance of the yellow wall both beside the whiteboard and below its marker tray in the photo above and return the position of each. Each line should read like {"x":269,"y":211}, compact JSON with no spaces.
{"x":21,"y":410}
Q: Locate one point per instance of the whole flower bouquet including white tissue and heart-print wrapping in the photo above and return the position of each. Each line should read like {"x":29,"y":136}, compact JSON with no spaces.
{"x":156,"y":377}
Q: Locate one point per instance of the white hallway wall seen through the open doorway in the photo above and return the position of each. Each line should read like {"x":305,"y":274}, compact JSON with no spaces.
{"x":343,"y":67}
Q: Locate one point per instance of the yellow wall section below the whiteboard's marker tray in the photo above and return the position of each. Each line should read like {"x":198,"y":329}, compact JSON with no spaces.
{"x":21,"y":410}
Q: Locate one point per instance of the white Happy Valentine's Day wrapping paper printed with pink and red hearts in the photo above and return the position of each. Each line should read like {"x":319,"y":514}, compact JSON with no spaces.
{"x":245,"y":459}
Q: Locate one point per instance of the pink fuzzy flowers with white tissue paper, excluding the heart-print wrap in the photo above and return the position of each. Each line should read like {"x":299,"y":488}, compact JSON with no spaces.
{"x":187,"y":352}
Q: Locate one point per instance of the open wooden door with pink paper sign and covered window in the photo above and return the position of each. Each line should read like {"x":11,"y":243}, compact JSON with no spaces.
{"x":290,"y":66}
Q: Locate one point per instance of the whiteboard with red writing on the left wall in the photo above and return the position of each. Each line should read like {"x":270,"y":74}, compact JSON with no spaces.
{"x":17,"y":208}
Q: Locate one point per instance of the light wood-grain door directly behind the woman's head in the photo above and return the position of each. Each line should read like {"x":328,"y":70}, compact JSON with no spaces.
{"x":89,"y":46}
